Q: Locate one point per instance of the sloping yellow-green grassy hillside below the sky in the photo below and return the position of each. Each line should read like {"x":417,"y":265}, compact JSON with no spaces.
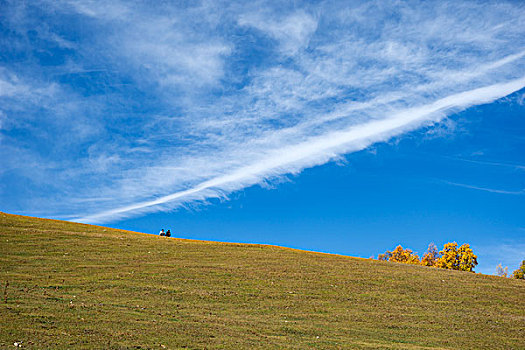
{"x":82,"y":286}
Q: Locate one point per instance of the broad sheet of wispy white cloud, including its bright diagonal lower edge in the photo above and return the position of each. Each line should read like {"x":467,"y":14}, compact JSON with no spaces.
{"x":184,"y":103}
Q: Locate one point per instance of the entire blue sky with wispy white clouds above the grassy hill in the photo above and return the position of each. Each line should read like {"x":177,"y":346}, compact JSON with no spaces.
{"x":333,"y":126}
